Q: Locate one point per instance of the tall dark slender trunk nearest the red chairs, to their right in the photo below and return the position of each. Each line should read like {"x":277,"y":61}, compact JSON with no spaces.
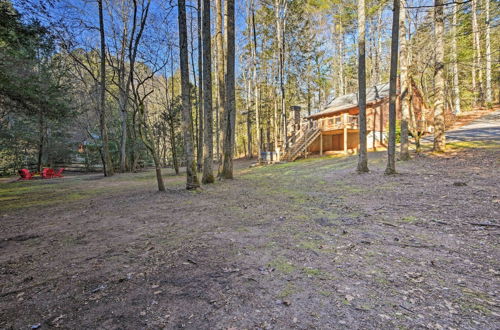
{"x":107,"y":164}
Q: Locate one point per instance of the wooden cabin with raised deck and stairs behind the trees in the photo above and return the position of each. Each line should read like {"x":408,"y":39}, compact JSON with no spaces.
{"x":335,"y":129}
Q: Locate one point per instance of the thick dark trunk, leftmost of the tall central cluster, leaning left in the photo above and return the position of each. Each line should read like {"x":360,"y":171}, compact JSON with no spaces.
{"x":187,"y":123}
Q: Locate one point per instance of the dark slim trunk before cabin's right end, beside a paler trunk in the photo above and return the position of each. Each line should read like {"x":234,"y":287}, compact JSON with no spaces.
{"x":391,"y":150}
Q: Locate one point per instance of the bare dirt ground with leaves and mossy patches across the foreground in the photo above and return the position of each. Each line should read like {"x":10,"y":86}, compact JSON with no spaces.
{"x":309,"y":244}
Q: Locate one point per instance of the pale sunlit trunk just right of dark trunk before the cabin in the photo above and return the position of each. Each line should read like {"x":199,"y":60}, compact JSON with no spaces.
{"x":405,"y":96}
